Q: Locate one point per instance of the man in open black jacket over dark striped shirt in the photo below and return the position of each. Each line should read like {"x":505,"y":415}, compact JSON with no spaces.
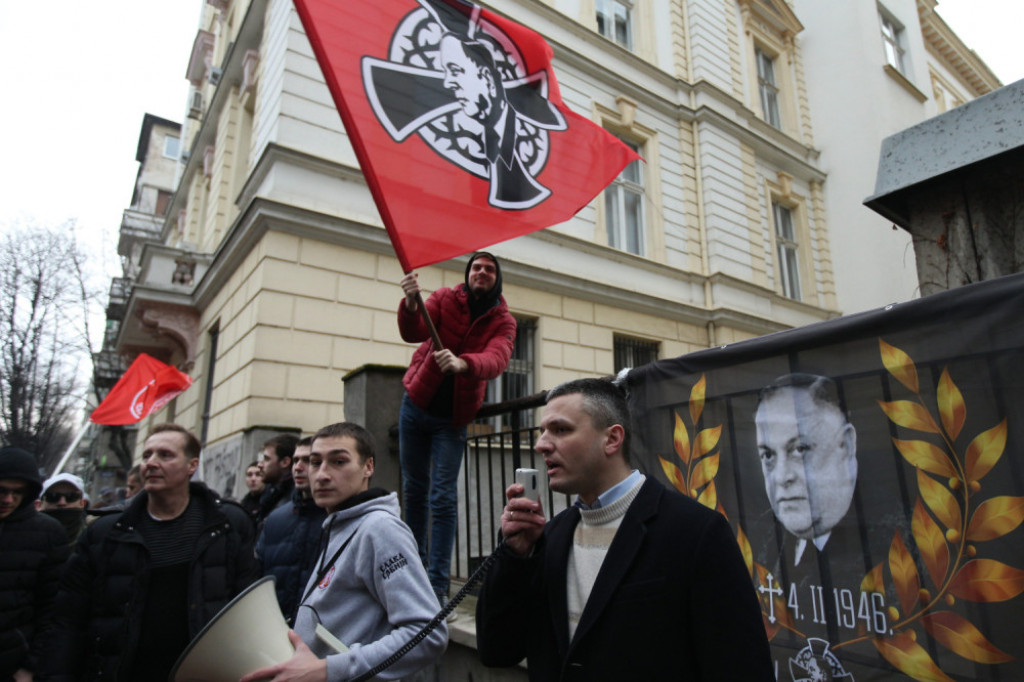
{"x":144,"y":582}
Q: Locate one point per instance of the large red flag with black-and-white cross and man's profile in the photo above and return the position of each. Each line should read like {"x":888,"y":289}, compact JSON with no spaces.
{"x":457,"y":120}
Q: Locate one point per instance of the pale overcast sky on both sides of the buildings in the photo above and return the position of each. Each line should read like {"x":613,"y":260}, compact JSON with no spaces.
{"x":79,"y":76}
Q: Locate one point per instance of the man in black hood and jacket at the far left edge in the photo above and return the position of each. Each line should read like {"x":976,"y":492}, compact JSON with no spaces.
{"x":33,"y":548}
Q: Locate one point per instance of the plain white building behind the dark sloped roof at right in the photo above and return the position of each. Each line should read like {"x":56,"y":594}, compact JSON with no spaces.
{"x":873,"y":70}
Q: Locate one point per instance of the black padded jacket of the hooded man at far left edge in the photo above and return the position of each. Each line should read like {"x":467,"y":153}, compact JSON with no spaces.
{"x":33,"y":548}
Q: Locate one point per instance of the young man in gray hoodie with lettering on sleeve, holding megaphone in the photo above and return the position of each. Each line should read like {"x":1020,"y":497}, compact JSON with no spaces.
{"x":369,"y":595}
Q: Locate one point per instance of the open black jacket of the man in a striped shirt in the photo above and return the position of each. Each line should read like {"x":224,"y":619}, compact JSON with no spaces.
{"x":103,"y":593}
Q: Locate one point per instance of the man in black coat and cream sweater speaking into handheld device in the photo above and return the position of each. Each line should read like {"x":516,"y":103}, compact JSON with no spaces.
{"x":633,"y":582}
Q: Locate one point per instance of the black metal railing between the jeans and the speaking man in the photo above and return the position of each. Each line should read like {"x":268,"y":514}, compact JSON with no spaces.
{"x":490,"y":462}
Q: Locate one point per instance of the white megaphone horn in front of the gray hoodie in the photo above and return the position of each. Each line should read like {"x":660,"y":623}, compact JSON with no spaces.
{"x":248,"y":634}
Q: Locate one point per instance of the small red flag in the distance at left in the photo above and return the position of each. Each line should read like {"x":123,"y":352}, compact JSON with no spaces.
{"x":146,"y":388}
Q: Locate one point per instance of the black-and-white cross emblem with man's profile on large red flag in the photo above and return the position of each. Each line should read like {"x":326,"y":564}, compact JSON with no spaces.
{"x":461,"y":84}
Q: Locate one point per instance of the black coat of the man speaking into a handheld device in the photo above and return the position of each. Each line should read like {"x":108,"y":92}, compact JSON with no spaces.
{"x":673,"y":602}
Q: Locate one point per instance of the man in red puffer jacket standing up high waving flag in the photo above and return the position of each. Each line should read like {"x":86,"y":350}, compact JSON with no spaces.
{"x":444,"y":391}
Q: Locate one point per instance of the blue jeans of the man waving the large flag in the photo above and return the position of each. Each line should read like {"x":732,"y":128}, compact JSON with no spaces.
{"x":431,"y":450}
